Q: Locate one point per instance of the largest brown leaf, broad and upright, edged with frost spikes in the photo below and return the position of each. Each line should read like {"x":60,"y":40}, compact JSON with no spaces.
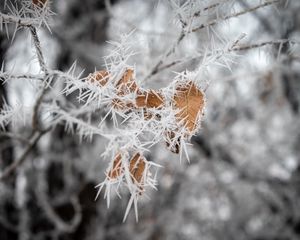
{"x":189,"y":100}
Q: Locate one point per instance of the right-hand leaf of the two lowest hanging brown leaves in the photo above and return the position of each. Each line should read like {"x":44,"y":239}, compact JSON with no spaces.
{"x":137,"y":167}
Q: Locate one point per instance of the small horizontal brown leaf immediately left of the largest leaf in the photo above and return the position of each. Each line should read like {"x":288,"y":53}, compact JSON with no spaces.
{"x":149,"y":99}
